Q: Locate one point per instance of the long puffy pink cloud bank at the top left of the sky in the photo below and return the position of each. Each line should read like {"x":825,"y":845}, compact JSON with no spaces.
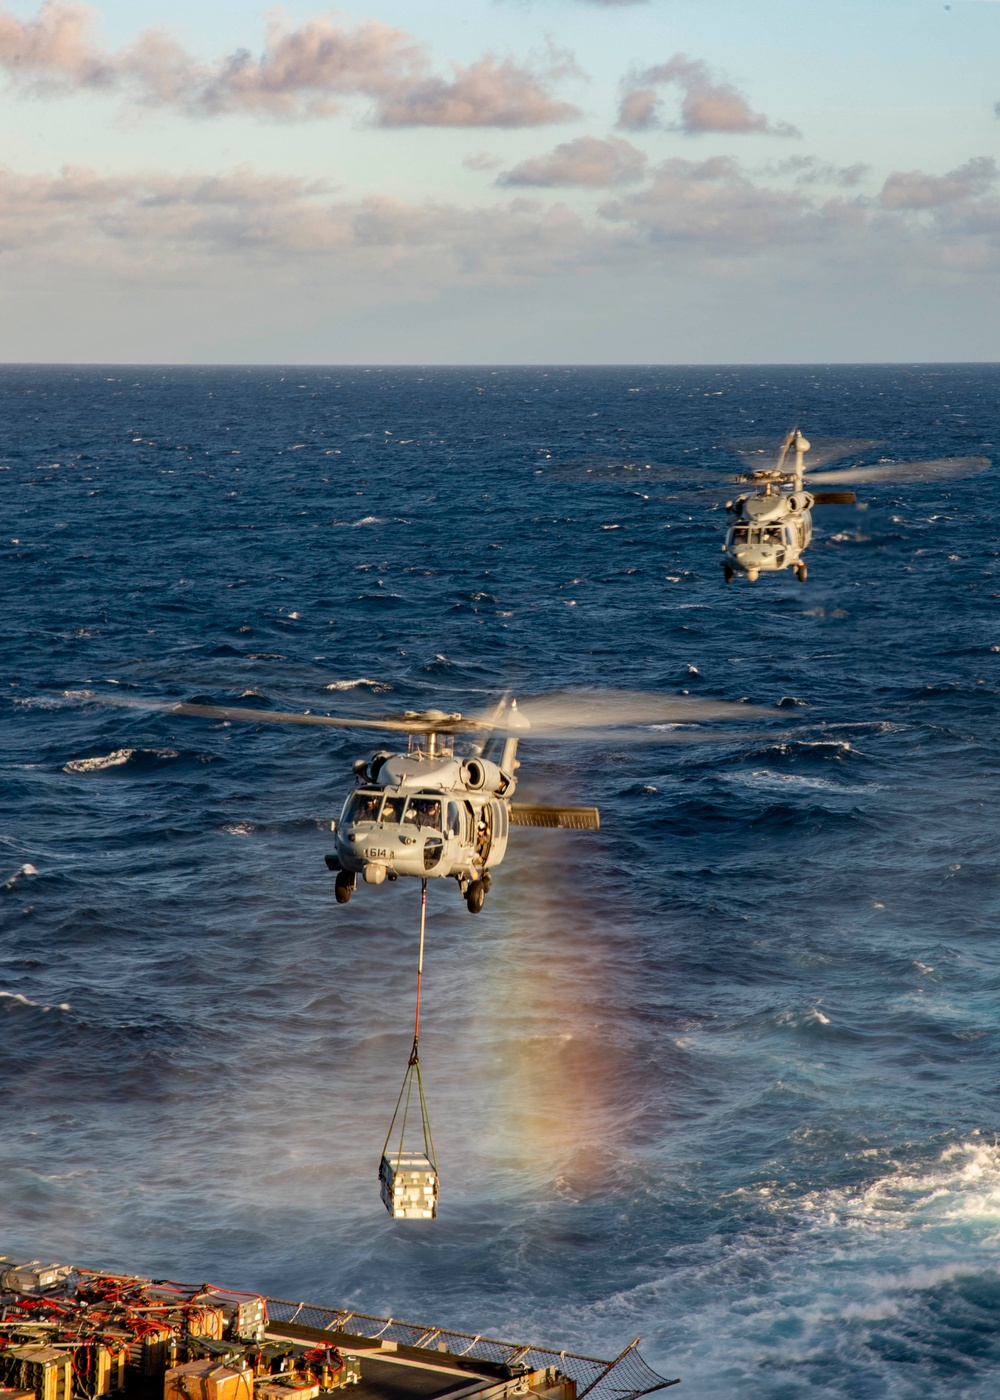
{"x":305,"y":72}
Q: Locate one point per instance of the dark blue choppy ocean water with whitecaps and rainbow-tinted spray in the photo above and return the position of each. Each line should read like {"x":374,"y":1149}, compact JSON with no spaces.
{"x":725,"y":1074}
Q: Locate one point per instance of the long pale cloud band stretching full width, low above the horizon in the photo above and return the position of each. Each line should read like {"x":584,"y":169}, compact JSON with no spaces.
{"x":705,"y":219}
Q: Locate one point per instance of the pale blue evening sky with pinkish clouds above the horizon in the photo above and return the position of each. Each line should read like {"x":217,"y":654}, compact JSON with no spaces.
{"x":501,"y":181}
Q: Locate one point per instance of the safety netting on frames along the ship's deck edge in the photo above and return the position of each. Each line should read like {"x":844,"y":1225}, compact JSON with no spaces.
{"x":624,"y":1378}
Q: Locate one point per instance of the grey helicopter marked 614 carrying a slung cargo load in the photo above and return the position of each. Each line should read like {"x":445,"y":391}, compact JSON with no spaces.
{"x":432,"y":813}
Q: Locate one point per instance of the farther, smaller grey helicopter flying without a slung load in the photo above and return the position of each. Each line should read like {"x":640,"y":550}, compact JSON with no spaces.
{"x":771,"y":528}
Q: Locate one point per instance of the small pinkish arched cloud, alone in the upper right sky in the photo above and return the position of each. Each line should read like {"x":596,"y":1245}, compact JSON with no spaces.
{"x":708,"y":106}
